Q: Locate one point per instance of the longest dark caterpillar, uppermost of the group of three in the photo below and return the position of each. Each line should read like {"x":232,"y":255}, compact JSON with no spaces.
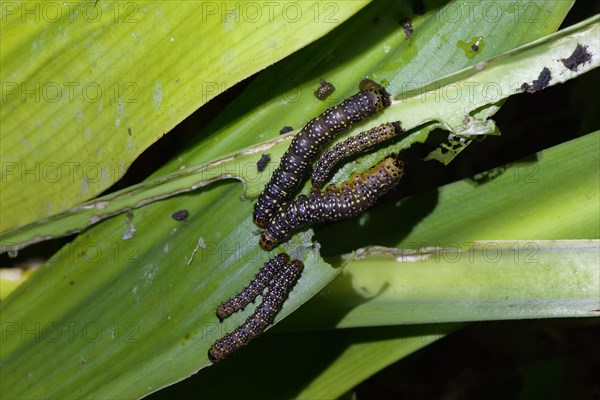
{"x":309,"y":142}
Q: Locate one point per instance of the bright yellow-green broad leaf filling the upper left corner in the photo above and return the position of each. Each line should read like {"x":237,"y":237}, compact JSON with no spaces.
{"x":88,"y":86}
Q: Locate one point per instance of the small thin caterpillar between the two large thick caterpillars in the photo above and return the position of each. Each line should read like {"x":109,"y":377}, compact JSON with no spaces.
{"x":356,"y":144}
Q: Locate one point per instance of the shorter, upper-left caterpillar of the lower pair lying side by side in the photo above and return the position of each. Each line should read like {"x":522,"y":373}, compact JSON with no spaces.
{"x":254,"y":288}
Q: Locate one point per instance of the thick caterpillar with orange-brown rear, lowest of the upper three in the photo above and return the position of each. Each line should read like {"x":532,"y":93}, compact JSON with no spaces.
{"x":354,"y":196}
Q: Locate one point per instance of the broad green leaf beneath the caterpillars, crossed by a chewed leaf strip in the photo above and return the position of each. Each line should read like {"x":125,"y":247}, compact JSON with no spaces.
{"x":160,"y":288}
